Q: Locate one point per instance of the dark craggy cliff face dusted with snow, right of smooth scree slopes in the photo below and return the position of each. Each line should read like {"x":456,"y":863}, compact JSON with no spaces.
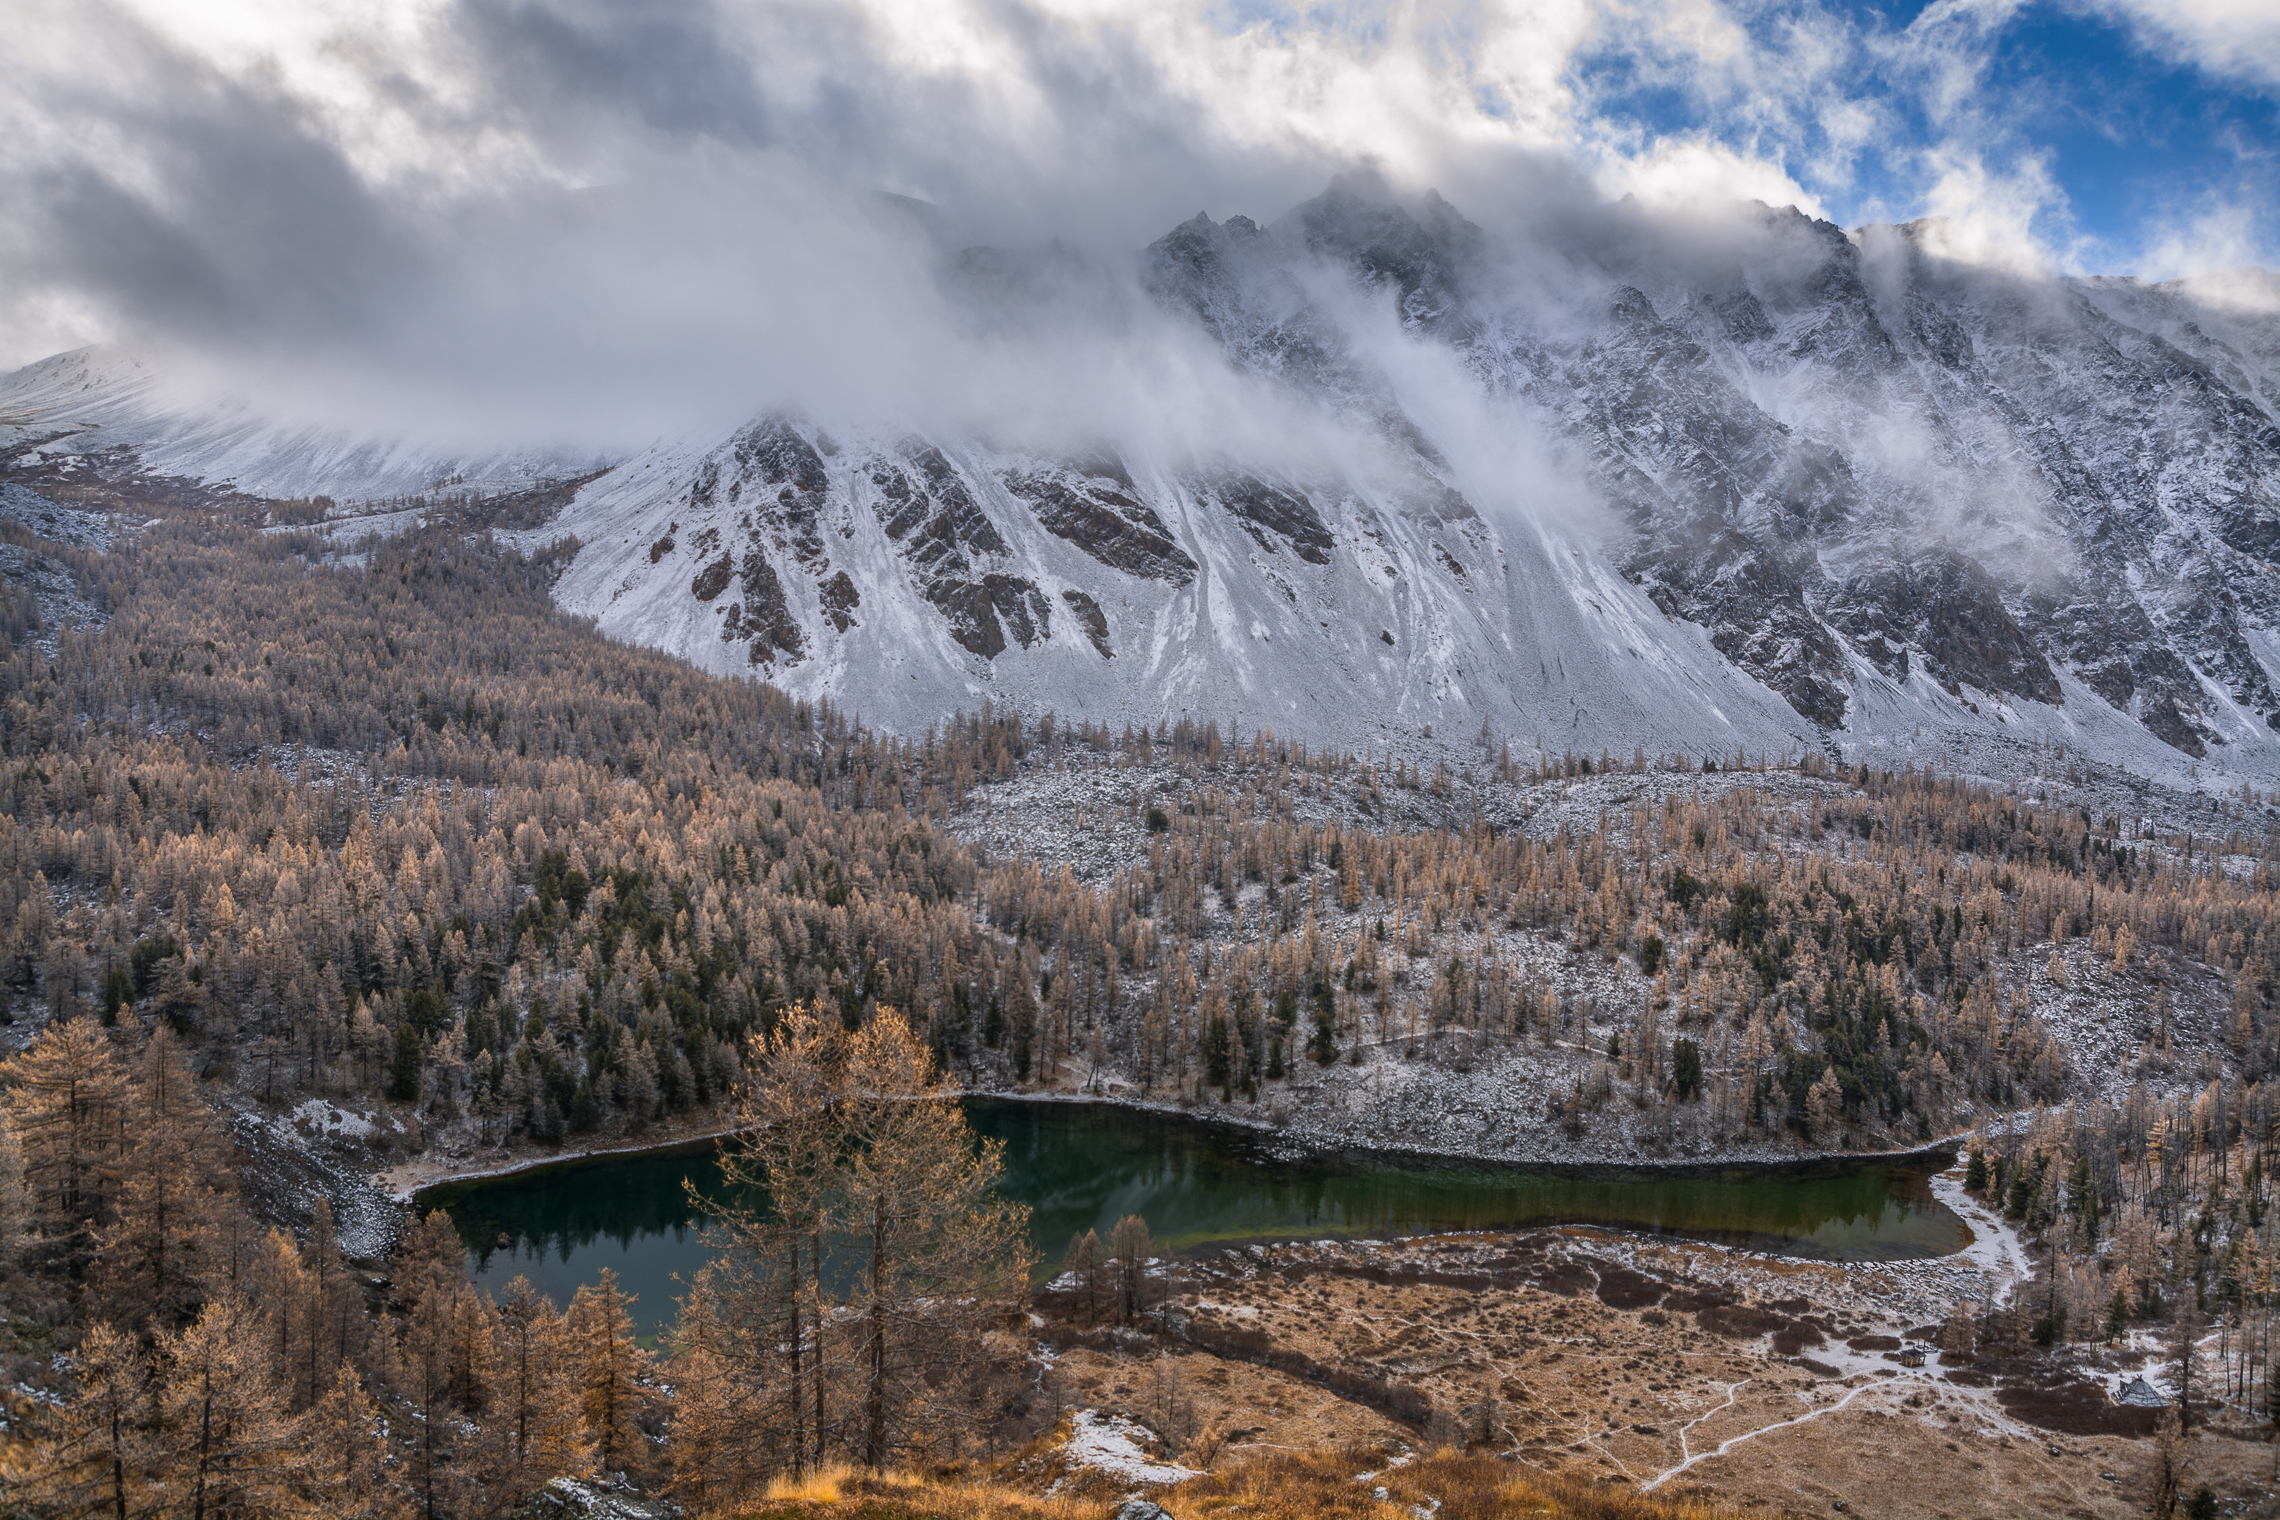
{"x":1848,"y":459}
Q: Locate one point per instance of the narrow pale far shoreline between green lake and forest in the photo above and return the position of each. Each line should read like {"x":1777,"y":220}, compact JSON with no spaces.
{"x":416,"y":1184}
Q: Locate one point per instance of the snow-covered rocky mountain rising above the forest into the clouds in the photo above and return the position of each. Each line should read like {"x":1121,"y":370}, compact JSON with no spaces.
{"x":1745,"y":484}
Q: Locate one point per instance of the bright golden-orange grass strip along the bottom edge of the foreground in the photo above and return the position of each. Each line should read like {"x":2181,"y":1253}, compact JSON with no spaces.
{"x":1273,"y":1487}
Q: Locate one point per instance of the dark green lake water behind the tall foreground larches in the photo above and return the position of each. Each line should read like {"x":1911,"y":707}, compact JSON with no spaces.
{"x":1086,"y":1166}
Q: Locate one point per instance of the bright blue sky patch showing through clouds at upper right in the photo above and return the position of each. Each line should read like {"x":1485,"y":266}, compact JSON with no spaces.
{"x":2124,"y":138}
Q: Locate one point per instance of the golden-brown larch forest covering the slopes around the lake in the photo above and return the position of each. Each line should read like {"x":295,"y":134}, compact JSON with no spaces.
{"x":377,"y":828}
